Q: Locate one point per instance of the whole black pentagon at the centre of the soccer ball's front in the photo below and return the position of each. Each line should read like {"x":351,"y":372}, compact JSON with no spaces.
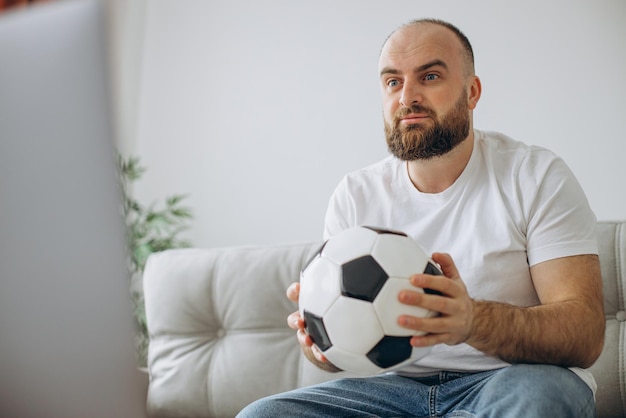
{"x":362,"y":278}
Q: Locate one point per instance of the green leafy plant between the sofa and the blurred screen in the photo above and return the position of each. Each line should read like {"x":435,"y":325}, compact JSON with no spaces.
{"x":150,"y":229}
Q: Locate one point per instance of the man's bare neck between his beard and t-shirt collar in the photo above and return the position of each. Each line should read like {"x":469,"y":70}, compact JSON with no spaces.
{"x":437,"y":174}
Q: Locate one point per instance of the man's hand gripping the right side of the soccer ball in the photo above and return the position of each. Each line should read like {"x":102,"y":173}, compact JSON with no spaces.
{"x":455,"y":307}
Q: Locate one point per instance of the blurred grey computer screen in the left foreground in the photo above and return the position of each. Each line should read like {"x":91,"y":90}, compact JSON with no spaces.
{"x":66,"y":327}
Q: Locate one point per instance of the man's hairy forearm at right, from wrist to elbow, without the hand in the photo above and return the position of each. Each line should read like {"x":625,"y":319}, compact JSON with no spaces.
{"x":566,"y":333}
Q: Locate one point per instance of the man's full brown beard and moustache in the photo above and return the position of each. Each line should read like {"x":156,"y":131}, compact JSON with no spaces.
{"x":416,"y":142}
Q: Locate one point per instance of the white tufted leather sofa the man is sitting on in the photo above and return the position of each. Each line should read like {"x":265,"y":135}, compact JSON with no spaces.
{"x":219,"y":338}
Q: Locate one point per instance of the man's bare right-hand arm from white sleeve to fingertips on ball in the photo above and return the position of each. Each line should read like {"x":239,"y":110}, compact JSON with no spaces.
{"x":567,"y":329}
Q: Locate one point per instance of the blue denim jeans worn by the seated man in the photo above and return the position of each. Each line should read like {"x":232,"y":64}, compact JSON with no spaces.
{"x":533,"y":391}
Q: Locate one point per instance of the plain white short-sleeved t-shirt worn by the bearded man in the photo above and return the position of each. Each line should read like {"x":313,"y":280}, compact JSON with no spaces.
{"x":513,"y":206}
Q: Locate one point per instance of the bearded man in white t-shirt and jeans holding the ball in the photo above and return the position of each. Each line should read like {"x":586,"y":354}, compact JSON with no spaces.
{"x":521,"y":314}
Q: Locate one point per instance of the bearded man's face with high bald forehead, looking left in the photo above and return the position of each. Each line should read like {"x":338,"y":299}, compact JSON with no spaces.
{"x":424,"y":82}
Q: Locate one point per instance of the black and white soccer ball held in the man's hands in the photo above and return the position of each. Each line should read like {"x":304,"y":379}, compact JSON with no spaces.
{"x":349,"y":299}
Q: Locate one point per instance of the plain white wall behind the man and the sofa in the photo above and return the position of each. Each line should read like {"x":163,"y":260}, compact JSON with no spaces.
{"x":256,"y":109}
